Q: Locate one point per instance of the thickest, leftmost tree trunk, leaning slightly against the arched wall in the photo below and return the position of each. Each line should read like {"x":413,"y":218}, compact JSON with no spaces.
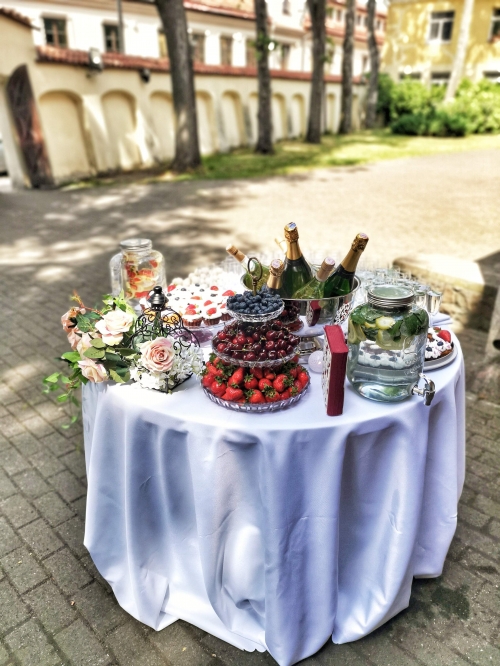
{"x":173,"y":18}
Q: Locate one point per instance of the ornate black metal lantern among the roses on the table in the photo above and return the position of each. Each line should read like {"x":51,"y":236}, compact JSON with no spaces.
{"x":161,"y":321}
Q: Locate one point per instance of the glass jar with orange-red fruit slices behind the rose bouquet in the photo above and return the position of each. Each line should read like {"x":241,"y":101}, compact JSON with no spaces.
{"x":137,"y":269}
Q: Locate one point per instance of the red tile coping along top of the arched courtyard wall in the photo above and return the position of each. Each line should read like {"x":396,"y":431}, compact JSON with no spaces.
{"x":50,"y":54}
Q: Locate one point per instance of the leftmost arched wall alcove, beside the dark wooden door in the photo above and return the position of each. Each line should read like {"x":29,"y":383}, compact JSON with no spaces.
{"x":62,"y":120}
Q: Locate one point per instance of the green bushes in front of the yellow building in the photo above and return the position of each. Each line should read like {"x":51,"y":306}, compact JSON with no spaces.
{"x":412,"y":109}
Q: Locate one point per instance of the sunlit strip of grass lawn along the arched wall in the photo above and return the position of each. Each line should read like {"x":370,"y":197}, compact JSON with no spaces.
{"x":293,"y":156}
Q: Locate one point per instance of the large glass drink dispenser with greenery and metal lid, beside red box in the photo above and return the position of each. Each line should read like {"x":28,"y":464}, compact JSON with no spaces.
{"x":386,"y":339}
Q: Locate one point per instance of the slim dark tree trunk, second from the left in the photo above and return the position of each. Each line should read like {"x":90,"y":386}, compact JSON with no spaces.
{"x":264,"y":118}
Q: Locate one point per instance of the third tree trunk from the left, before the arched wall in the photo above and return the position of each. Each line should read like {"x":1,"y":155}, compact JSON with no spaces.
{"x":317,"y":12}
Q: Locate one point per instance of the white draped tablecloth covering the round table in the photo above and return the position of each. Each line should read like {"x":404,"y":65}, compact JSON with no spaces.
{"x":274,"y":531}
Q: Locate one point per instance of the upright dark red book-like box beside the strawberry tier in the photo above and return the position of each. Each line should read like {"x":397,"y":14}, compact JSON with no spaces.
{"x":334,"y":364}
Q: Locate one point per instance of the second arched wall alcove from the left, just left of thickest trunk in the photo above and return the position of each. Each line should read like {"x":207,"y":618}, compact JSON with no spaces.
{"x":119,"y":112}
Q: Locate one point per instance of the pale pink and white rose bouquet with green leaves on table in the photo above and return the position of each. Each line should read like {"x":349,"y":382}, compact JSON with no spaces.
{"x":105,"y":346}
